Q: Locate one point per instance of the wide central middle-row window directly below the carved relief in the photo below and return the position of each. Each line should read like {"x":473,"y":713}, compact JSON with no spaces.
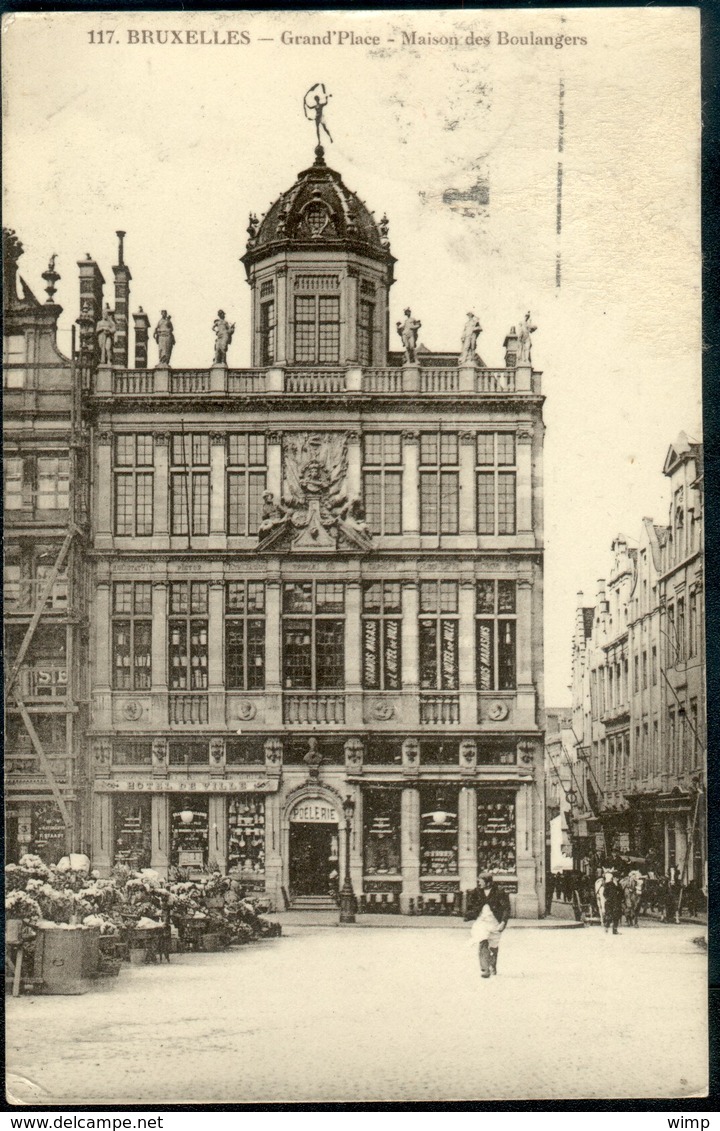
{"x":314,"y":635}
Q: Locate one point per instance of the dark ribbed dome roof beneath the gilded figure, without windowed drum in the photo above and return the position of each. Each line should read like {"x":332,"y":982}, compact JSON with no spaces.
{"x":319,"y":211}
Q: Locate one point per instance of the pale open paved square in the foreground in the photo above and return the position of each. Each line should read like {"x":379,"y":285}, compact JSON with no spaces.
{"x":332,"y":1014}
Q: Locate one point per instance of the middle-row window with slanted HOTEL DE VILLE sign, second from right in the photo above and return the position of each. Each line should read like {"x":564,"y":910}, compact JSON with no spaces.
{"x":439,"y":636}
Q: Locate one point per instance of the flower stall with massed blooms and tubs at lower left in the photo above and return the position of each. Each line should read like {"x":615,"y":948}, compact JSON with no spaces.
{"x":67,"y":927}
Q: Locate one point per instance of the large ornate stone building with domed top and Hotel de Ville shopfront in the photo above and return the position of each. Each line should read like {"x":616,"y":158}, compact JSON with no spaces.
{"x":315,"y":580}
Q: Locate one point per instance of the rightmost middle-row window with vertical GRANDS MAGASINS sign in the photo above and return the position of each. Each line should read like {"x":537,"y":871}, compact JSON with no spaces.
{"x":496,"y":636}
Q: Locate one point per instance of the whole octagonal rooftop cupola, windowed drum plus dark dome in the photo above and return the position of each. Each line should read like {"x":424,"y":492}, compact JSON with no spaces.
{"x":320,"y":270}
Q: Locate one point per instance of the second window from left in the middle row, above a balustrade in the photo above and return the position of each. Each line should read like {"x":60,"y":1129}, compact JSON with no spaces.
{"x":188,"y":636}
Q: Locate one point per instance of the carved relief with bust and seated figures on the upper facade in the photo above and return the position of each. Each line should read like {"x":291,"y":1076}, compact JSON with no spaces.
{"x":315,"y":512}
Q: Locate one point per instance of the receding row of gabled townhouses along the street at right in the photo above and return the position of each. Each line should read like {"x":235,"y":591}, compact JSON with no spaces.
{"x":639,"y":690}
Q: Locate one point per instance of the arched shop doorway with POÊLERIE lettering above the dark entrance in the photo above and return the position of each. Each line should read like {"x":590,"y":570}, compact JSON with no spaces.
{"x":315,"y":860}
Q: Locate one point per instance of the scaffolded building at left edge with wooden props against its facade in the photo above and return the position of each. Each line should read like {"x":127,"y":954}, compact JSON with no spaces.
{"x":46,"y":526}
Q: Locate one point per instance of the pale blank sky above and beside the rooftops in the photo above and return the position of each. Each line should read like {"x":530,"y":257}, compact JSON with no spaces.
{"x":177,"y":143}
